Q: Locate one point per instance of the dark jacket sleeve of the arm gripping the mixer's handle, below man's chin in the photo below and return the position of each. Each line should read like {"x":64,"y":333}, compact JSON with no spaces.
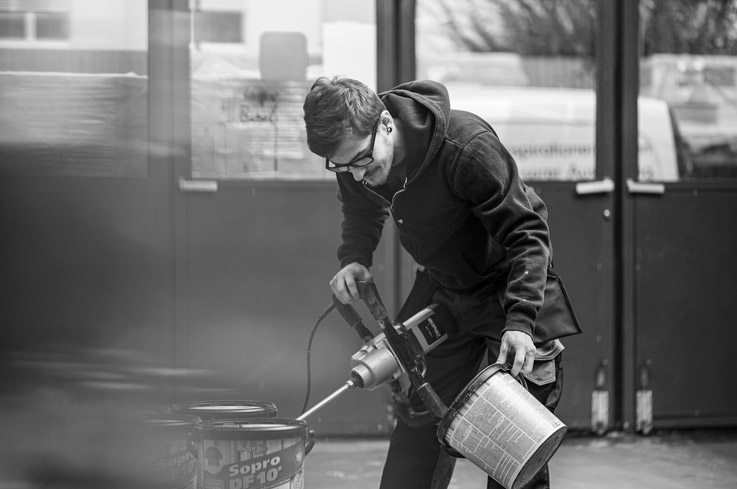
{"x":363,"y":222}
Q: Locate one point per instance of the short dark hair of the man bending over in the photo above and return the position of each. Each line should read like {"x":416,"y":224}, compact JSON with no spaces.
{"x":336,"y":108}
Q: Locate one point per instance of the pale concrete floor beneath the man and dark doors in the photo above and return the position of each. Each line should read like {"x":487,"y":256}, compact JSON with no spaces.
{"x":665,"y":461}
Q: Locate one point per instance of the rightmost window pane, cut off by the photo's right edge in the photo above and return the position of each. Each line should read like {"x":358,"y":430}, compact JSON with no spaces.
{"x":689,"y":65}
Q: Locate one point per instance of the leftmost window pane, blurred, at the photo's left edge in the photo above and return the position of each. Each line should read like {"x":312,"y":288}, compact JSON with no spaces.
{"x":74,"y":92}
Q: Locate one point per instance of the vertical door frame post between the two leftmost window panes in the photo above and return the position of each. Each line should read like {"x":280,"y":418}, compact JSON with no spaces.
{"x":169,"y":150}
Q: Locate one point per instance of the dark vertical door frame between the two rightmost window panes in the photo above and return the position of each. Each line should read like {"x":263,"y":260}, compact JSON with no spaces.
{"x":617,"y":152}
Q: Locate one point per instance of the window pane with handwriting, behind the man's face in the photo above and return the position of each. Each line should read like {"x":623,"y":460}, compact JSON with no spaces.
{"x":247,"y":117}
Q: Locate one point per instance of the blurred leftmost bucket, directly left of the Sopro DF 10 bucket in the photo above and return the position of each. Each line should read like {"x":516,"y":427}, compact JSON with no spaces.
{"x":171,"y":451}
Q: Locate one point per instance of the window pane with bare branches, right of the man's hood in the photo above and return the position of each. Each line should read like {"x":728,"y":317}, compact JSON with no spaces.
{"x":525,"y":66}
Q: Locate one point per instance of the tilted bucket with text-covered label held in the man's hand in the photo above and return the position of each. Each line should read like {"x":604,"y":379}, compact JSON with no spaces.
{"x":501,"y":428}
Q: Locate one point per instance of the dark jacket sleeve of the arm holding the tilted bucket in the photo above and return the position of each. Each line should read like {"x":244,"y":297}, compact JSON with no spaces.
{"x":486,"y":175}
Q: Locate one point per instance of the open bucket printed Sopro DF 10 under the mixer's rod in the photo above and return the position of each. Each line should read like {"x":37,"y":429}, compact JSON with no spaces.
{"x":252,"y":453}
